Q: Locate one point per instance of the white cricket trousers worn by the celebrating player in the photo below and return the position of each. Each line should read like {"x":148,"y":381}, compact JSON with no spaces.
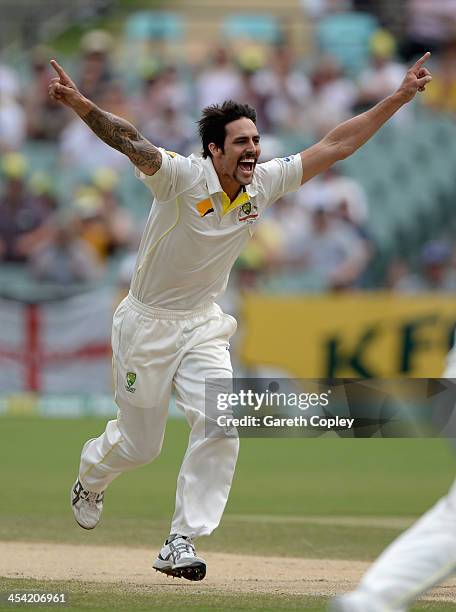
{"x":153,"y":351}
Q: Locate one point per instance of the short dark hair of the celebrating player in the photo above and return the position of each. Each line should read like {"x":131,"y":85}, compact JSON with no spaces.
{"x":214,"y":118}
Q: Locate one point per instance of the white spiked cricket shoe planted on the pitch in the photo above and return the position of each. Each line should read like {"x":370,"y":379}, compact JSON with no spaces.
{"x":178,"y":558}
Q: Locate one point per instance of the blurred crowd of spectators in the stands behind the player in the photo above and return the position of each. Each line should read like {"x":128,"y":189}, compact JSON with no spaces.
{"x":317,"y":238}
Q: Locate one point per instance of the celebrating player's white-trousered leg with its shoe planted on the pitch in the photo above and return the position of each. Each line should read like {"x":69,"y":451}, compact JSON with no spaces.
{"x":207,"y":469}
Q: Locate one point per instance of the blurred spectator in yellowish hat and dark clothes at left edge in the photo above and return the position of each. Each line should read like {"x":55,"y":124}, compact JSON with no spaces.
{"x":22,"y":215}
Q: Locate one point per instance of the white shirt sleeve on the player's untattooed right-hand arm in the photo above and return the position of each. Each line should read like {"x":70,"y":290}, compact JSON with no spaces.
{"x":280,"y":176}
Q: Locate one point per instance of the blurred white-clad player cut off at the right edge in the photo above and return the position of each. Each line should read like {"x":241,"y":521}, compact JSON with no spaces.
{"x":417,"y":560}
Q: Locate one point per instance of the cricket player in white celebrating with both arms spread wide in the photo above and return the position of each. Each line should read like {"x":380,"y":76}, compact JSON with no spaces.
{"x":169,"y":332}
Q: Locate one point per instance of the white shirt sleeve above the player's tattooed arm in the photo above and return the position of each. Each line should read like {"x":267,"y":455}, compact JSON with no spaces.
{"x":175,"y":175}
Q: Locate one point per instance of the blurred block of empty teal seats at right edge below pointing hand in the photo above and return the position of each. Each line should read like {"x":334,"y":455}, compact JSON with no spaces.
{"x":409,"y":182}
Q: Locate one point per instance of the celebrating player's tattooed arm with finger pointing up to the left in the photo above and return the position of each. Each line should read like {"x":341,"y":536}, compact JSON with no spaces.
{"x":114,"y":131}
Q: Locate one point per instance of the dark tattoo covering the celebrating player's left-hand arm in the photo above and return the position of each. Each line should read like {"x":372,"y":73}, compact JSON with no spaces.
{"x":124,"y":137}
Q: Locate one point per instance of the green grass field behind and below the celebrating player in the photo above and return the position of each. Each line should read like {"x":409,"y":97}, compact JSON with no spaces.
{"x":290,"y":497}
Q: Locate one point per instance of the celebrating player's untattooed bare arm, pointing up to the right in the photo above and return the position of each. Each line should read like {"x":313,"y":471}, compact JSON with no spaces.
{"x":349,"y":136}
